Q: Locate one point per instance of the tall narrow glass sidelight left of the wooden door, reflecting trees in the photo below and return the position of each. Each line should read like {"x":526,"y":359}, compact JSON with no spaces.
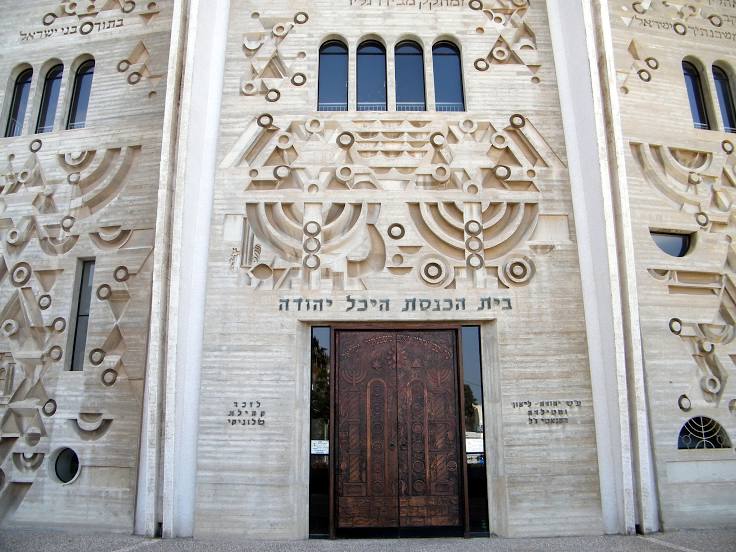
{"x":319,"y":466}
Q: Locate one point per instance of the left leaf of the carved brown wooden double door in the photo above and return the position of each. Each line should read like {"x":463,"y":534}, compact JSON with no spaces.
{"x":367,"y":469}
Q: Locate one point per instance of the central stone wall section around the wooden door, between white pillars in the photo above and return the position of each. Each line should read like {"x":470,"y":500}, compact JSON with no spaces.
{"x":393,"y":217}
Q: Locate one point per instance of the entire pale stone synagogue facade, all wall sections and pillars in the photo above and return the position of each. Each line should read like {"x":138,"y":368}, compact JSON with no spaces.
{"x":227,"y":216}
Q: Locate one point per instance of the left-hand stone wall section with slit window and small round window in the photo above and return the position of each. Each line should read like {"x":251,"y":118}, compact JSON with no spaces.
{"x":65,"y":196}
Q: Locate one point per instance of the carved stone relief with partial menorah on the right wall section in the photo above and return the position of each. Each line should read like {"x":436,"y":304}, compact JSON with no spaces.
{"x":703,"y":184}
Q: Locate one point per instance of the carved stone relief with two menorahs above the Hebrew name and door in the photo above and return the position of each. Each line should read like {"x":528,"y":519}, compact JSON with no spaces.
{"x":316,"y":218}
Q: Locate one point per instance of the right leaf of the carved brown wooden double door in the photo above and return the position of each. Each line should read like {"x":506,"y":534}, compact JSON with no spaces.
{"x":429,"y":471}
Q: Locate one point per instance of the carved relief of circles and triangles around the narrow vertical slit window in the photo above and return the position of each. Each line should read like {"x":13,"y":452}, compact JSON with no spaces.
{"x":51,"y":205}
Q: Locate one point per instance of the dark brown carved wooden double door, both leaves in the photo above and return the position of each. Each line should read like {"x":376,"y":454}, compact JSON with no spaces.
{"x":397,"y":430}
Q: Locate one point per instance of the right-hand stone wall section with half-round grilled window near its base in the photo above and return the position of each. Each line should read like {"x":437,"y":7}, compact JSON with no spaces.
{"x":682,"y":180}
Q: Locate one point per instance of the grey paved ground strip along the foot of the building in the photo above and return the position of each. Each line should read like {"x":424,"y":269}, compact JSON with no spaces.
{"x":683,"y":541}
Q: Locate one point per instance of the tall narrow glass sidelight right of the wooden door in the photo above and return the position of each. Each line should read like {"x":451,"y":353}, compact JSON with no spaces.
{"x":474,"y":431}
